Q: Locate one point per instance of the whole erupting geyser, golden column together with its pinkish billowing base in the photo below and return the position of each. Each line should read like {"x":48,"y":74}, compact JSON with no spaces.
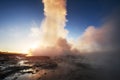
{"x":53,"y":32}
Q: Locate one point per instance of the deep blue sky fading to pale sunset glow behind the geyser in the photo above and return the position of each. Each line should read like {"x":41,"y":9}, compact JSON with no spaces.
{"x":18,"y":17}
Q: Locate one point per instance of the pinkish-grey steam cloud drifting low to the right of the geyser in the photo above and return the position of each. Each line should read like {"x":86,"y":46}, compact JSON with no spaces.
{"x":104,"y":38}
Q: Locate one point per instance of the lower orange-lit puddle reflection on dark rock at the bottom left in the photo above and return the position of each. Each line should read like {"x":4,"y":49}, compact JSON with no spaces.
{"x":28,"y":74}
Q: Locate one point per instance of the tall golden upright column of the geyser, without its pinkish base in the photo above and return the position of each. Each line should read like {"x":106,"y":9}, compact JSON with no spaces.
{"x":52,"y":27}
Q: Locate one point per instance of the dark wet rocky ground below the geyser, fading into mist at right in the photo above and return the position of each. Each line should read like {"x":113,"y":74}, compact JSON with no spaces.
{"x":46,"y":68}
